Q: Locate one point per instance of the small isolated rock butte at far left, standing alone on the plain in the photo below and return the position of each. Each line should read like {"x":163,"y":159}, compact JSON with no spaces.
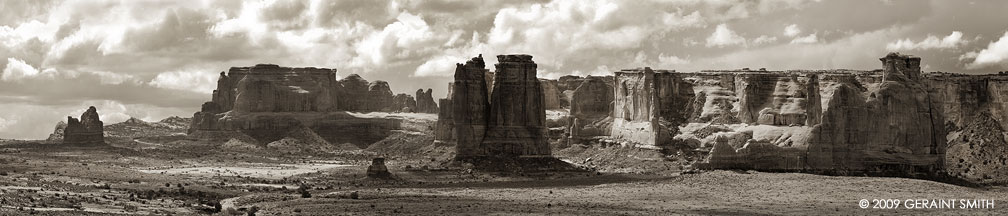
{"x":85,"y":132}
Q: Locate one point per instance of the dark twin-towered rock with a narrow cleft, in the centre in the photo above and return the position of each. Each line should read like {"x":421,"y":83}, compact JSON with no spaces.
{"x":513,"y":123}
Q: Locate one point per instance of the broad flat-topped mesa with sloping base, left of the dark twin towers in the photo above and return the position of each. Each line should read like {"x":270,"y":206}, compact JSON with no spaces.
{"x":268,"y":103}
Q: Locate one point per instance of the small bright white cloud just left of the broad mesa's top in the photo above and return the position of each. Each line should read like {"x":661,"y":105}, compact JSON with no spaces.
{"x":190,"y":80}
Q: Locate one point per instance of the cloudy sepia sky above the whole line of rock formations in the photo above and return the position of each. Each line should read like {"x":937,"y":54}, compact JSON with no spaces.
{"x":153,"y":60}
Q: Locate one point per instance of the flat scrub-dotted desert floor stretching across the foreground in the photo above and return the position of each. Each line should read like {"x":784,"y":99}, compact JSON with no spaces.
{"x":175,"y":176}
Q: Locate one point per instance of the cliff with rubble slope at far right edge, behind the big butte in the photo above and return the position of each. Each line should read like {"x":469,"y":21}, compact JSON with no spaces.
{"x":975,"y":111}
